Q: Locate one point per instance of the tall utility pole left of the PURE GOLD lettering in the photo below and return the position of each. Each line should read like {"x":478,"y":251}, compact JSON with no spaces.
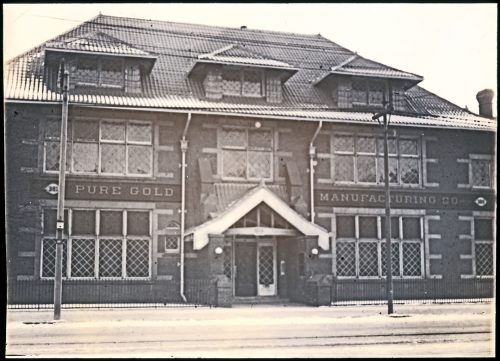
{"x":60,"y":196}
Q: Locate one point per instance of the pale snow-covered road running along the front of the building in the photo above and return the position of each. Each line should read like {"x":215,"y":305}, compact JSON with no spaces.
{"x":265,"y":331}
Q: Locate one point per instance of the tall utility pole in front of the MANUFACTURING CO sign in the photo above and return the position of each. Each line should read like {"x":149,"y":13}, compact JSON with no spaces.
{"x":388,"y":232}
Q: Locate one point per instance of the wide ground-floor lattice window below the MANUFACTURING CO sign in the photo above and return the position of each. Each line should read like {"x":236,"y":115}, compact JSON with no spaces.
{"x":361,"y":246}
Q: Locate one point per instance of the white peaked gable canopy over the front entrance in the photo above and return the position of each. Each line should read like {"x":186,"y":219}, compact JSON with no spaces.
{"x":239,"y":208}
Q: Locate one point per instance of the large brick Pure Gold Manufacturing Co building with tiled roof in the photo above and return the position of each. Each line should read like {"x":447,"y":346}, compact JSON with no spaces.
{"x":265,"y":142}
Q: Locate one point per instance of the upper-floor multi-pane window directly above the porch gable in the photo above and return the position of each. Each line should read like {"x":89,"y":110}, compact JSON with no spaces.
{"x":246,"y":153}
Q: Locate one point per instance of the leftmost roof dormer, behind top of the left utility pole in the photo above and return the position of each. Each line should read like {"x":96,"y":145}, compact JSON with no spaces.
{"x":98,"y":63}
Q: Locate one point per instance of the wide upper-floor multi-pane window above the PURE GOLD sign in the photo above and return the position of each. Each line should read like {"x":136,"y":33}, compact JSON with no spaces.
{"x":102,"y":147}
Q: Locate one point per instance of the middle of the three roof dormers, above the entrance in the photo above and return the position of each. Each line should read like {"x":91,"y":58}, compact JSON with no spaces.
{"x":236,"y":71}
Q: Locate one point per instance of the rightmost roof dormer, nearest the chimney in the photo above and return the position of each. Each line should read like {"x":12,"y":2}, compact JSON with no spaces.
{"x":361,"y":84}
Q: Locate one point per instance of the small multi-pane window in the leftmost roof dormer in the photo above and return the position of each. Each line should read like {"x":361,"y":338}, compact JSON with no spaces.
{"x":99,"y":72}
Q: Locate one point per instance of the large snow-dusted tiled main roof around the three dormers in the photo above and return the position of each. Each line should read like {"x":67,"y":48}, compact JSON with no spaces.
{"x":178,"y":47}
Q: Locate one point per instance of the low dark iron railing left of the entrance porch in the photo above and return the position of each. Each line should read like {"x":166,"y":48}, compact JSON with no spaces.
{"x":104,"y":294}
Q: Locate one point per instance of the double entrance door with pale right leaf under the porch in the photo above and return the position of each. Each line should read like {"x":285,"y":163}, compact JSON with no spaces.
{"x":254,"y":267}
